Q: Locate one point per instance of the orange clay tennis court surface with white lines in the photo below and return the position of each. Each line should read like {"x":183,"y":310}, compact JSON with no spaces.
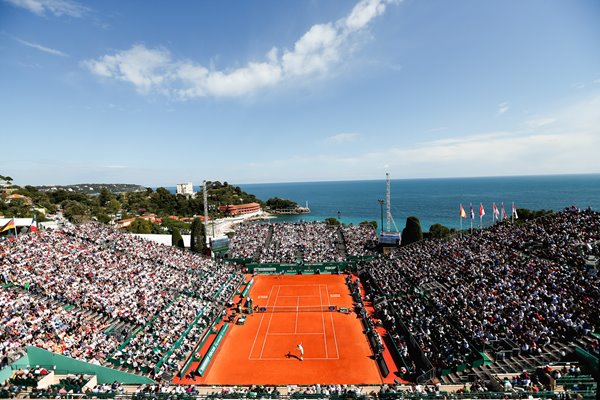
{"x":264,"y":350}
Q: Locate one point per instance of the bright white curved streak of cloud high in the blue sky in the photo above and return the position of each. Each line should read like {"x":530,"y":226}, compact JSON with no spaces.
{"x":316,"y":52}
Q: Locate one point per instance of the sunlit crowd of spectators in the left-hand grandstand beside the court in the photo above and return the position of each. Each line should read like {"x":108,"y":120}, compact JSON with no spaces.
{"x":113,"y":277}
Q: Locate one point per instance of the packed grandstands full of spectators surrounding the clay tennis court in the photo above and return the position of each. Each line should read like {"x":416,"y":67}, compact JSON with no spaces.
{"x":98,"y":295}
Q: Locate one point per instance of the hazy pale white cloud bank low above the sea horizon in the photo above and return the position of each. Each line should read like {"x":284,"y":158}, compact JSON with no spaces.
{"x":569,"y":147}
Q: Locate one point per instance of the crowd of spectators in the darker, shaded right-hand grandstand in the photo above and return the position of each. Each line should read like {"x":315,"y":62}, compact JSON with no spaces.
{"x":460,"y":293}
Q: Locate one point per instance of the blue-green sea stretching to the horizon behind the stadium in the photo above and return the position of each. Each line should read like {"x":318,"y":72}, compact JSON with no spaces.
{"x":431,"y":200}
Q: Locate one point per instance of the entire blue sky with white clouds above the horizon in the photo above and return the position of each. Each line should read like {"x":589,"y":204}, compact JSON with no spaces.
{"x":158,"y":93}
